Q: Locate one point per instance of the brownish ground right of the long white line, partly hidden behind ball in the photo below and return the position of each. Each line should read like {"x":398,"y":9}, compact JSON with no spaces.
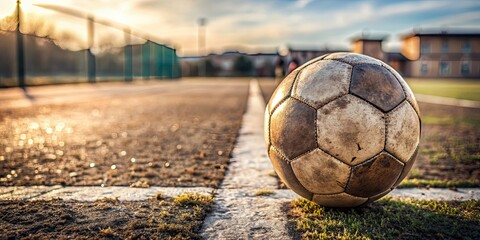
{"x":450,"y":141}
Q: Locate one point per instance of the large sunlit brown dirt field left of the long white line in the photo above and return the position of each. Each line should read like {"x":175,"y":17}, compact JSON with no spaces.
{"x":180,"y":135}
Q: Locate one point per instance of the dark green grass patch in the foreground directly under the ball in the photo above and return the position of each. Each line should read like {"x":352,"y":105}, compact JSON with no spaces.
{"x":388,"y":219}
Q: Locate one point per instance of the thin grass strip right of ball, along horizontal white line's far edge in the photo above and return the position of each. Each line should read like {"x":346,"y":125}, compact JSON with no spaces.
{"x":461,"y":183}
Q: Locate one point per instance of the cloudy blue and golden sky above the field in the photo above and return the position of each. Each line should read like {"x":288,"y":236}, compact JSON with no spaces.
{"x":257,"y":25}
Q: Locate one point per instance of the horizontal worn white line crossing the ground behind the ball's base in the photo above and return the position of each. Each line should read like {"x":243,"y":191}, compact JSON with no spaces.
{"x":89,"y":194}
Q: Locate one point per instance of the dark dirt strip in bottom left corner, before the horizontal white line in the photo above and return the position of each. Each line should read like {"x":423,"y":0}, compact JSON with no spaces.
{"x":162,"y":218}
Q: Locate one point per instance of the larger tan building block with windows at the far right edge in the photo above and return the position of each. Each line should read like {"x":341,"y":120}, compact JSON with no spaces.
{"x":442,"y":53}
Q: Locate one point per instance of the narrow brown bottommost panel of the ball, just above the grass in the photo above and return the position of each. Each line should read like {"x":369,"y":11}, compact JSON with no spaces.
{"x":338,"y":200}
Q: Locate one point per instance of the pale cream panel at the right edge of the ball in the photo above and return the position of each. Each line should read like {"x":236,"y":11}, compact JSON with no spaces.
{"x":403,"y":132}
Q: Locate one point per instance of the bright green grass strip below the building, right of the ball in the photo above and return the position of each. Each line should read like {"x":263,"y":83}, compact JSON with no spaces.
{"x":453,"y":88}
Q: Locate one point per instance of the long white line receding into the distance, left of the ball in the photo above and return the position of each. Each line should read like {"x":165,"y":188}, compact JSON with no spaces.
{"x":237,"y":214}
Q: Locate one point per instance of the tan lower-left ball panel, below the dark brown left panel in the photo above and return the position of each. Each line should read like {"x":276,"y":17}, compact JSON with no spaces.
{"x":320,"y":173}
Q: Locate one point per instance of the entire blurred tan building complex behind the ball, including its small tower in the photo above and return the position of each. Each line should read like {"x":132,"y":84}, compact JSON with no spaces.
{"x":428,"y":53}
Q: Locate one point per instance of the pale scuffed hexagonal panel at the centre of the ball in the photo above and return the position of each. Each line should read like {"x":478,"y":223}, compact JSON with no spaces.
{"x":350,"y":129}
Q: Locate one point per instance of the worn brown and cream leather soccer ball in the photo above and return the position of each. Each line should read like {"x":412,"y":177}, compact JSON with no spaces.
{"x":342,"y":130}
